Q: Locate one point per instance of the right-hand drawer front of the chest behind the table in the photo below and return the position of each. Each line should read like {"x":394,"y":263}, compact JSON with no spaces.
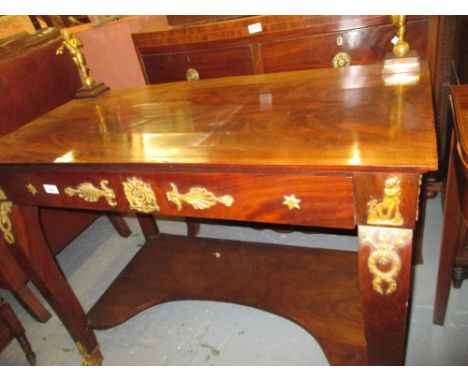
{"x":365,"y":46}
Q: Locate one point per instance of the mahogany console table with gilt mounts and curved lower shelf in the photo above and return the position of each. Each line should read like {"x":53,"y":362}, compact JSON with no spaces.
{"x":328,"y":147}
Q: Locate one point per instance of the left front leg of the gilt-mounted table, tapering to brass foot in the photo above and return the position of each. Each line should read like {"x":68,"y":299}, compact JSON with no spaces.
{"x":33,"y":252}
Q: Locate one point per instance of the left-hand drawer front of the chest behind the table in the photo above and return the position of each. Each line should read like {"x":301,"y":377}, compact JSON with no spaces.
{"x":209,"y":63}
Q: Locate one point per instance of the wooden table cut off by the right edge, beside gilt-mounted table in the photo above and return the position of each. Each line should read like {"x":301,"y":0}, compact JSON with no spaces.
{"x":453,"y":263}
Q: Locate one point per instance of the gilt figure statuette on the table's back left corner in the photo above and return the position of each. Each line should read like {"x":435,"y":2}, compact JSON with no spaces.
{"x":73,"y":44}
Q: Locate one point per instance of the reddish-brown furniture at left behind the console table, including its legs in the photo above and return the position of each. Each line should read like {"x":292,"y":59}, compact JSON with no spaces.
{"x":27,"y":94}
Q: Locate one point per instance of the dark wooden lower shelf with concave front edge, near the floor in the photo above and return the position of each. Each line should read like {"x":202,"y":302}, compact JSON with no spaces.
{"x":308,"y":286}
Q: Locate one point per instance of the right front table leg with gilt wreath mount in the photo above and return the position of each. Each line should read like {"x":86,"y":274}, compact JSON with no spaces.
{"x":384,"y":273}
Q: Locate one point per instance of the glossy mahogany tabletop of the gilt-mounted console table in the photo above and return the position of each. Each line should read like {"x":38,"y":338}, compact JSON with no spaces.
{"x":327,"y":119}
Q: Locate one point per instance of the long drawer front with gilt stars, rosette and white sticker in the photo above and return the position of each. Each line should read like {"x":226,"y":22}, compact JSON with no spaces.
{"x":315,"y":200}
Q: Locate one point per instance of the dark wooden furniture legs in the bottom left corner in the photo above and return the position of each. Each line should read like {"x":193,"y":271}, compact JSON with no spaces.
{"x":10,"y":328}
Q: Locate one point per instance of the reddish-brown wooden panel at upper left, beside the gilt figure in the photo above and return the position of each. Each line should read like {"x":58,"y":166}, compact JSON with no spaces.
{"x":25,"y":97}
